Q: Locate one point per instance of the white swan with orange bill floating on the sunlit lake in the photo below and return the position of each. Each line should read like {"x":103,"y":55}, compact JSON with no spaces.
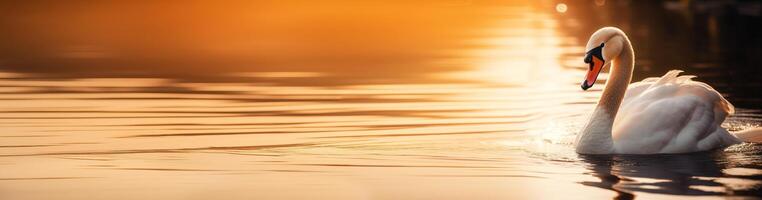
{"x":671,"y":114}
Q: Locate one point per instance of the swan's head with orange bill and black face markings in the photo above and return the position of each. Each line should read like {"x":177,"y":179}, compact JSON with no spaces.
{"x":602,"y":47}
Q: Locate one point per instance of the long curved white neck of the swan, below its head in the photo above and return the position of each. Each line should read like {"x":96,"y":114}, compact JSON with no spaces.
{"x":595,"y":137}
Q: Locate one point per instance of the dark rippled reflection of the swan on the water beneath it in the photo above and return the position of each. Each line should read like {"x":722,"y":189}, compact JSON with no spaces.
{"x":702,"y":173}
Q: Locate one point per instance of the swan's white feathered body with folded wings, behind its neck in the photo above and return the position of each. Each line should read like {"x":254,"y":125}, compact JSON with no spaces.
{"x":671,"y":115}
